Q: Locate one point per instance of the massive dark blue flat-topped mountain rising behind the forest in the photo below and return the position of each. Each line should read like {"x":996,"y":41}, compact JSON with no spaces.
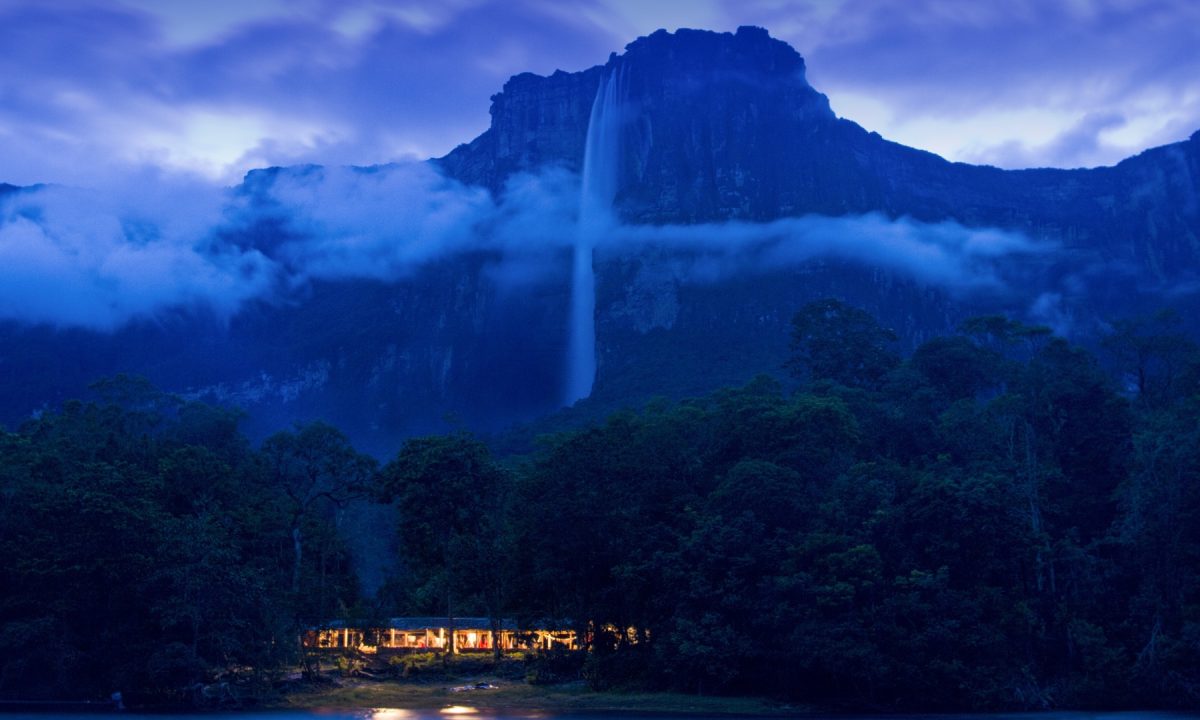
{"x":740,"y":196}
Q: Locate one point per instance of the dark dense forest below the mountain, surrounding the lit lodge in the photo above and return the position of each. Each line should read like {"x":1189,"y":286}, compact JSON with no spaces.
{"x":1000,"y":520}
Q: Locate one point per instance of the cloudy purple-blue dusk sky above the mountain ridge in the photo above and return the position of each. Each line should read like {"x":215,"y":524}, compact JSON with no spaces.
{"x":207,"y":89}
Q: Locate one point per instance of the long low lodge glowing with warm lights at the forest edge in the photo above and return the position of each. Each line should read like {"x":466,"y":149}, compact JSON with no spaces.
{"x":434,"y":634}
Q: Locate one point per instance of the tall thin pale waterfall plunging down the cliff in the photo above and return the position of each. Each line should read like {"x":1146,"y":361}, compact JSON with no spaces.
{"x":599,"y":188}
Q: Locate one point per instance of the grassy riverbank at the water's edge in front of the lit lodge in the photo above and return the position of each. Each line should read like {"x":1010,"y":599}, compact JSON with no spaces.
{"x":509,"y":697}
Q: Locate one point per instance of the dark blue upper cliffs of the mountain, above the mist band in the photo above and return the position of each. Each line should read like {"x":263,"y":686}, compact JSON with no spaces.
{"x":727,"y":128}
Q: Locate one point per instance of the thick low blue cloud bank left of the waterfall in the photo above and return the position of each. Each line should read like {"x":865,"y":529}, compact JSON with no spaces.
{"x":153,"y":245}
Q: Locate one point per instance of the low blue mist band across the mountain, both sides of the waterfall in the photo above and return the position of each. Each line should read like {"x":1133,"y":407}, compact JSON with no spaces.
{"x":103,"y":259}
